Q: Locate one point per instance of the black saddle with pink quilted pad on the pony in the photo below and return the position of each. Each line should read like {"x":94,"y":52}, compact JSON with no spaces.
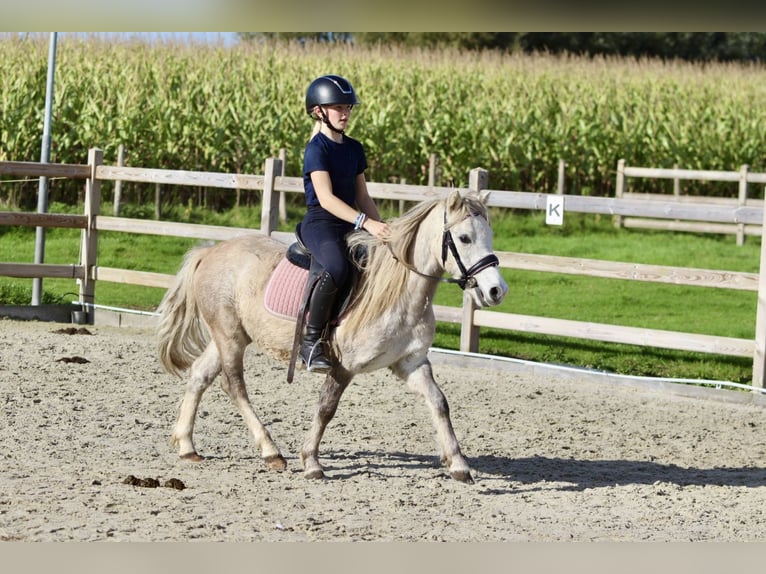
{"x":298,"y":266}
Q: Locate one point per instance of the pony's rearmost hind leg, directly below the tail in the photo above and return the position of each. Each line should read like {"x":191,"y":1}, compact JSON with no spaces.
{"x":203,"y":371}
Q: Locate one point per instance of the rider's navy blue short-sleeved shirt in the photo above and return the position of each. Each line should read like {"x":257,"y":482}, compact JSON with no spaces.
{"x":343,"y":161}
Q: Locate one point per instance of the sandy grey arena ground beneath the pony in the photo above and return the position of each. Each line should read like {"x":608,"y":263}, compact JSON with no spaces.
{"x":554,"y":458}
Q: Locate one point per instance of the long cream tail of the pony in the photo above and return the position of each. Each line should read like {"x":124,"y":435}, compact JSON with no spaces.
{"x":181,"y":333}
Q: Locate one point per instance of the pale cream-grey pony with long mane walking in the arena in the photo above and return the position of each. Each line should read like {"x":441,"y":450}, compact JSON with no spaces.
{"x":215,"y":309}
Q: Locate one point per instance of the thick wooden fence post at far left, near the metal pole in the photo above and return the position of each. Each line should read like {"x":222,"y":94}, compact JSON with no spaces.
{"x":89,"y":235}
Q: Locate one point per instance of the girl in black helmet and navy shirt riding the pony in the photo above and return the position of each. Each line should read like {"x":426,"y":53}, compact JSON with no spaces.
{"x":337,"y":203}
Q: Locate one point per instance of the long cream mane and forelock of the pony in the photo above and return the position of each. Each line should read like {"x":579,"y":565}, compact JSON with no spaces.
{"x":386,"y":266}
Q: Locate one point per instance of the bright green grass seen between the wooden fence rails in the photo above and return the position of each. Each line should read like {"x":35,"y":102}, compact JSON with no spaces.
{"x":702,"y":310}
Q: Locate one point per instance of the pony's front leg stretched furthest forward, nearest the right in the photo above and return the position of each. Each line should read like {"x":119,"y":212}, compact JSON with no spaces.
{"x":420,"y":379}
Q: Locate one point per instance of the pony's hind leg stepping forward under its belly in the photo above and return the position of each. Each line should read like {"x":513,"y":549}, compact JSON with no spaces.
{"x":234,"y":384}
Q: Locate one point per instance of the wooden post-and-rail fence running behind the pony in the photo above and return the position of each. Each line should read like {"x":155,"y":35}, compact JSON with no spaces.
{"x":86,"y":272}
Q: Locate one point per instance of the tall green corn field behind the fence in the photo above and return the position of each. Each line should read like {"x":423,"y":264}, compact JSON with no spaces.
{"x":206,"y":107}
